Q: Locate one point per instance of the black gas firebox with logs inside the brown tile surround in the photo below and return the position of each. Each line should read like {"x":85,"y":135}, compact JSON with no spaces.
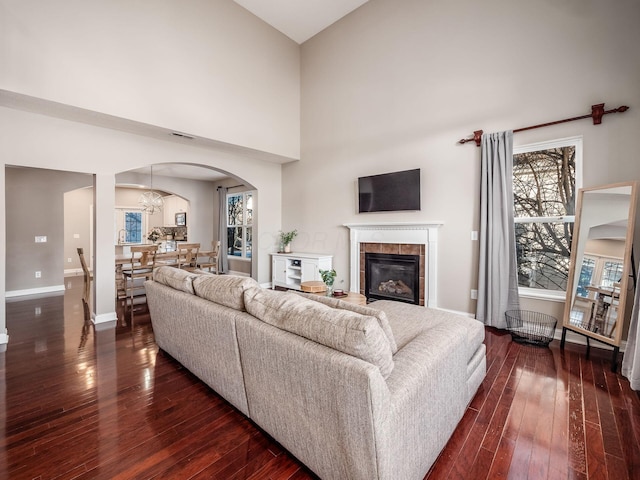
{"x":392,"y":277}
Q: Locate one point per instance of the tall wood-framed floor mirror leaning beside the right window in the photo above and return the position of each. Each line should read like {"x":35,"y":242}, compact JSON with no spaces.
{"x":601,"y":268}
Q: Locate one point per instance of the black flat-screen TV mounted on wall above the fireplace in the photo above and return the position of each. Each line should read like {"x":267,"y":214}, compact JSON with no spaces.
{"x":389,"y":192}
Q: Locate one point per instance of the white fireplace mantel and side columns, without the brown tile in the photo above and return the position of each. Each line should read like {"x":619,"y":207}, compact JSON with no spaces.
{"x":401,"y":232}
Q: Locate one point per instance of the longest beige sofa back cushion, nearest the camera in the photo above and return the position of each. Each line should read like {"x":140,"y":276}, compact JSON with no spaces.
{"x":349,"y":332}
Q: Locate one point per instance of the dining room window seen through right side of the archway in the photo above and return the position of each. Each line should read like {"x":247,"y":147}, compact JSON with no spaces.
{"x":239,"y":224}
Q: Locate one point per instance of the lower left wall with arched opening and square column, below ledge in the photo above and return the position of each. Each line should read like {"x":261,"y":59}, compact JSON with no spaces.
{"x":77,"y":147}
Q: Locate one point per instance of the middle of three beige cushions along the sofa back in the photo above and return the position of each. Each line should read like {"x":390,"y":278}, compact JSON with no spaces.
{"x":227,"y":290}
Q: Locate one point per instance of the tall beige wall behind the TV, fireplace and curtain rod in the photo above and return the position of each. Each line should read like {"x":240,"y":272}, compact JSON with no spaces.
{"x":394,"y":86}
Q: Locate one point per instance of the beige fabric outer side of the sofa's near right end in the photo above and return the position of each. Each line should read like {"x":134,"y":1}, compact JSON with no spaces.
{"x":428,"y":397}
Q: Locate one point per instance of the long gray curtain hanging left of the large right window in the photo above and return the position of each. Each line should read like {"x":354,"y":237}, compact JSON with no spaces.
{"x":497,"y":279}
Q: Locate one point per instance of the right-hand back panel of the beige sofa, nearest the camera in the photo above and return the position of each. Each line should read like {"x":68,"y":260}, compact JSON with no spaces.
{"x":320,"y":404}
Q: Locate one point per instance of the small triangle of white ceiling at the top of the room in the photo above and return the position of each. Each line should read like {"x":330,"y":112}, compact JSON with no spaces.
{"x":300,"y":19}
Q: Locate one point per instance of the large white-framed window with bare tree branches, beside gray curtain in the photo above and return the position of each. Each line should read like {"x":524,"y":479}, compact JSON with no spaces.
{"x":544,"y":193}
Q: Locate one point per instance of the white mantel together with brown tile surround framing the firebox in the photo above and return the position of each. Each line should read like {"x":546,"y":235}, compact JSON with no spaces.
{"x":405,"y":238}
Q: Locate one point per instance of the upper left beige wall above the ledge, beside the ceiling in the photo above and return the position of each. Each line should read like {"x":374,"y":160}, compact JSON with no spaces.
{"x":206,"y":67}
